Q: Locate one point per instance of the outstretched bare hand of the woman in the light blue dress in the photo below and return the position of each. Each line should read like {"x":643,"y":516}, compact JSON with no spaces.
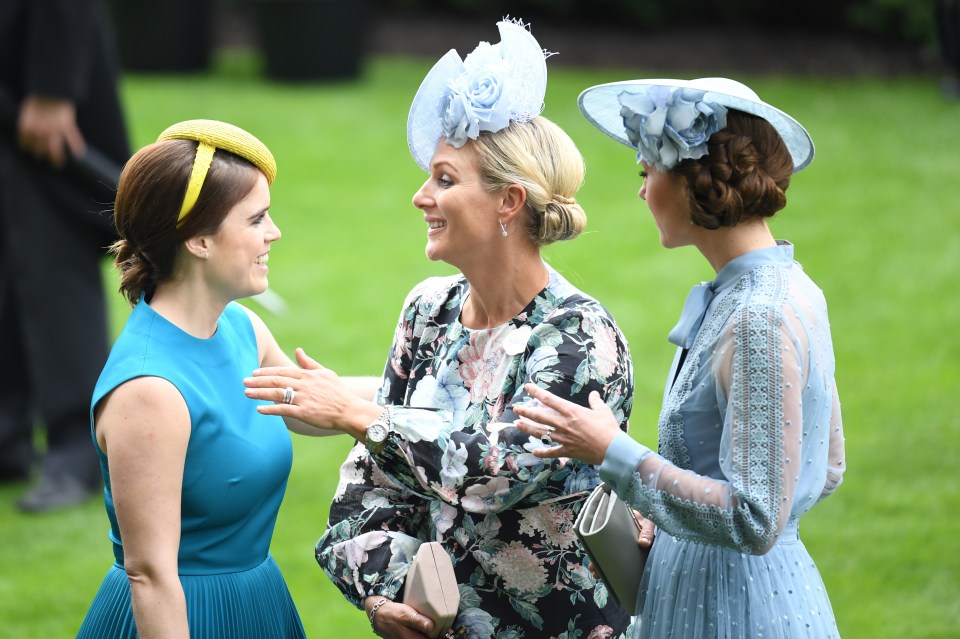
{"x":575,"y":431}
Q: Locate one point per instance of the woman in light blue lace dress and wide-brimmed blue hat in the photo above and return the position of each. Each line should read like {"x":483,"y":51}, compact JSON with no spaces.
{"x":750,"y":435}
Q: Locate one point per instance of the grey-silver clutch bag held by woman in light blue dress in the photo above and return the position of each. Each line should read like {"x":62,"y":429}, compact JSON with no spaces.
{"x":608,"y":533}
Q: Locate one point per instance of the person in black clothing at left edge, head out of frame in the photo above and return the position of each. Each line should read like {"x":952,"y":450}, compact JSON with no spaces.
{"x":59,"y":103}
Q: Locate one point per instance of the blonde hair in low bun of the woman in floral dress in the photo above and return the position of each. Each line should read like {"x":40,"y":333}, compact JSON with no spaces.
{"x":541,"y":157}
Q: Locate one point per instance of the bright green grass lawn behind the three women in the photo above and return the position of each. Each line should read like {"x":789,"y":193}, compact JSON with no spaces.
{"x":875,"y":222}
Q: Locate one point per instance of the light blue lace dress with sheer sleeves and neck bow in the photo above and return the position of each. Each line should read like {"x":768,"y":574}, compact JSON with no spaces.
{"x":750,"y":438}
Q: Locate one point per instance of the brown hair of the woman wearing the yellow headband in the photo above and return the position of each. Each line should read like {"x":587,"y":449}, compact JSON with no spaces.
{"x":148,"y":201}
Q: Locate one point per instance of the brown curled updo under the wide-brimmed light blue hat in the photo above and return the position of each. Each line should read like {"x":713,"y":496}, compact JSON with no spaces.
{"x":744,"y":175}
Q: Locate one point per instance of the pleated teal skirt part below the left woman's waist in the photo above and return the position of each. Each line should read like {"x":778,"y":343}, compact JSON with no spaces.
{"x":252,"y":604}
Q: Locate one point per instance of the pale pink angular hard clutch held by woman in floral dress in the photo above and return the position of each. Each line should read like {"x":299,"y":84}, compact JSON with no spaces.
{"x":431,"y":587}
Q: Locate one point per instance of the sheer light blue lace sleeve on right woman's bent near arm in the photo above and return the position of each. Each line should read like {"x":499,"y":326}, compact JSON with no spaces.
{"x":759,"y":367}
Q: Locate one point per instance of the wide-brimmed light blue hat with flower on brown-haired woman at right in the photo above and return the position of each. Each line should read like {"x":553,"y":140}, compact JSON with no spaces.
{"x":667,"y":121}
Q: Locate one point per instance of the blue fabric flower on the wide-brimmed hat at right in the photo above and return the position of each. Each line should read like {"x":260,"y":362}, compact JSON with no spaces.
{"x":670,"y":124}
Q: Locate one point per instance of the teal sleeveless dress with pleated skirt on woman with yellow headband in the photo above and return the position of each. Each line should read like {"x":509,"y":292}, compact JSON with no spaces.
{"x":235,"y":474}
